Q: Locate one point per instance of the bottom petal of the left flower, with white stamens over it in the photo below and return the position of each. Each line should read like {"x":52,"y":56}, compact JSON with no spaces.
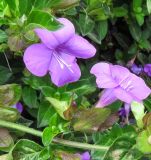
{"x":64,"y":69}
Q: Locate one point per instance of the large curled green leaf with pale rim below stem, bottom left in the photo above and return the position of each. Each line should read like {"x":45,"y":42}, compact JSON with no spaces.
{"x":25,"y":149}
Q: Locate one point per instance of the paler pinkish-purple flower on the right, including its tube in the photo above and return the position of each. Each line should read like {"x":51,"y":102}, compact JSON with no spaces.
{"x":119,"y":83}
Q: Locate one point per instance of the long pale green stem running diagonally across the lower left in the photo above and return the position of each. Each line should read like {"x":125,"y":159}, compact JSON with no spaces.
{"x":68,"y":143}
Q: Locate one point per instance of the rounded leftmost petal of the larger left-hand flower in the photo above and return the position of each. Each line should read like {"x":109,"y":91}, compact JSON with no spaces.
{"x":37,"y":59}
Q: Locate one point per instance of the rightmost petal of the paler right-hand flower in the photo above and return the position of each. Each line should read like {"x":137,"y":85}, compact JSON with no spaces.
{"x":139,"y":89}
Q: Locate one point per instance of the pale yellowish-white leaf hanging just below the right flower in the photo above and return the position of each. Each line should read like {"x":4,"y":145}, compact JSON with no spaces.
{"x":138,"y":111}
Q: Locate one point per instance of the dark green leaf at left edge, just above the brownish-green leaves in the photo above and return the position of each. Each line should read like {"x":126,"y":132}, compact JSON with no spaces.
{"x":5,"y":74}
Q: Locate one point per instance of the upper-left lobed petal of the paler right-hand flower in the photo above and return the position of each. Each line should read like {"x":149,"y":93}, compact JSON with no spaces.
{"x":103,"y":74}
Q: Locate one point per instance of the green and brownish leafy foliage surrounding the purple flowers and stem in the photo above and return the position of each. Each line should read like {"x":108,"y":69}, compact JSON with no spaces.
{"x":121,"y":33}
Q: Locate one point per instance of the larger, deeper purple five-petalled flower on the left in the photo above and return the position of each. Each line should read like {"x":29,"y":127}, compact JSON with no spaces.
{"x":57,"y":54}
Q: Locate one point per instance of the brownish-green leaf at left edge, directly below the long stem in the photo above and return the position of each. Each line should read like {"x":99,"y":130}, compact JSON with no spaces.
{"x":6,"y":141}
